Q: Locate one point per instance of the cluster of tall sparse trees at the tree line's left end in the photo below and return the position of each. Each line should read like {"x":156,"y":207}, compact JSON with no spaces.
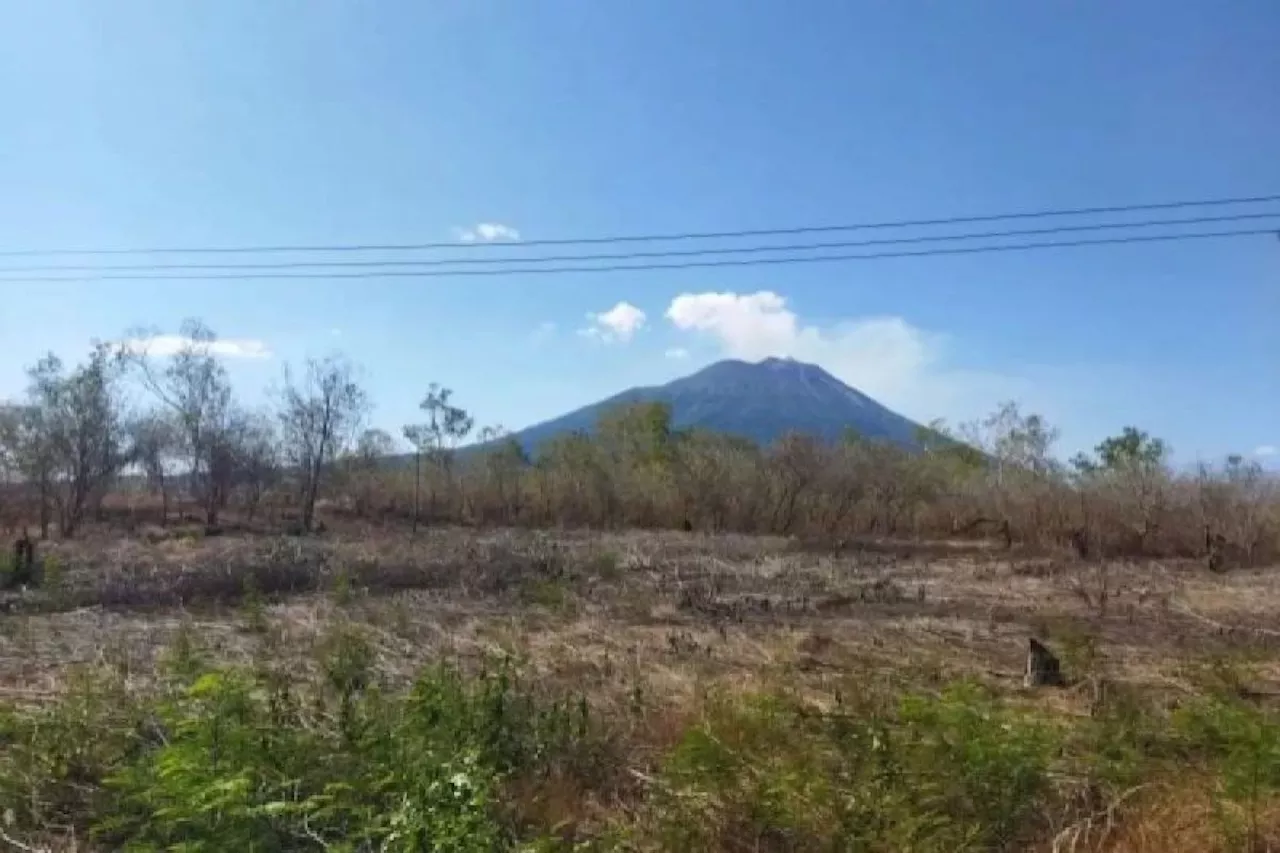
{"x":79,"y":434}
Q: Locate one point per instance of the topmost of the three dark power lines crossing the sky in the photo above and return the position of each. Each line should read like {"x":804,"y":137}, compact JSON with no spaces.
{"x":636,"y":239}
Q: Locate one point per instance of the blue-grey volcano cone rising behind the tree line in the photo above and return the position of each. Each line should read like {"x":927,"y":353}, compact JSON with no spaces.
{"x":758,"y":402}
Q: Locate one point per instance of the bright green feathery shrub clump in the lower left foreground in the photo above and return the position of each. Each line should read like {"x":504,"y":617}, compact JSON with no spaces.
{"x":232,"y":759}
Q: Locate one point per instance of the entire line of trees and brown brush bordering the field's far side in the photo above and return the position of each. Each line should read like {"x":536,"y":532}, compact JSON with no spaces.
{"x":79,"y":435}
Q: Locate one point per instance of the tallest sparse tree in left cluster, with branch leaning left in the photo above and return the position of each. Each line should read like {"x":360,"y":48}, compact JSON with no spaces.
{"x":194,"y":385}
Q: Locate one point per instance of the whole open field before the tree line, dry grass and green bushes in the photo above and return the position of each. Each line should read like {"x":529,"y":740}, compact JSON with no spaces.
{"x":467,"y":690}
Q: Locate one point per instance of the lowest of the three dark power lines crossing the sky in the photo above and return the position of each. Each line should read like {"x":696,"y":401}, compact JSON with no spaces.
{"x":620,"y":268}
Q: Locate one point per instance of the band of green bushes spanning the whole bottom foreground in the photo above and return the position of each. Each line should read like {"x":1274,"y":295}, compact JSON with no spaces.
{"x":258,"y":760}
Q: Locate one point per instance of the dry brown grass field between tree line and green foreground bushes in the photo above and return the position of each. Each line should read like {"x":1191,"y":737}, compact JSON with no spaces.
{"x":665,"y":635}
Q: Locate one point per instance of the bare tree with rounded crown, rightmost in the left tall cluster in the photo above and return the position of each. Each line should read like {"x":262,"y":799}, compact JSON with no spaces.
{"x":319,"y":414}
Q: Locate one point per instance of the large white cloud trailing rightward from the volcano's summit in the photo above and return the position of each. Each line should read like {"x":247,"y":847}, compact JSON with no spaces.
{"x":886,"y":358}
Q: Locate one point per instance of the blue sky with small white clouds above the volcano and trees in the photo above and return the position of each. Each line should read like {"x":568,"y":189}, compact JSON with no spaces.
{"x":245,"y":122}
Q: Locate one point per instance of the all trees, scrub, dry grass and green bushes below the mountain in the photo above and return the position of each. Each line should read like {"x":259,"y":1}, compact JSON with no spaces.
{"x":234,"y":638}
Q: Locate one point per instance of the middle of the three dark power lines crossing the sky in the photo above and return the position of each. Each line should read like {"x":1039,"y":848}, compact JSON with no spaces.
{"x":619,"y":257}
